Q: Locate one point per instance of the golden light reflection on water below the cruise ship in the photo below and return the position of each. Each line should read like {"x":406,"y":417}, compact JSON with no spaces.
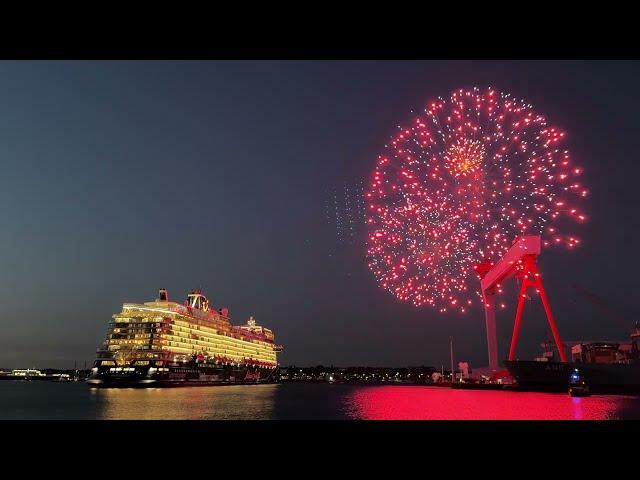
{"x":230,"y":402}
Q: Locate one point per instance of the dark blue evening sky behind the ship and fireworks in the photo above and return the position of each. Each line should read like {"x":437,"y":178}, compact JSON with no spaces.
{"x":119,"y":178}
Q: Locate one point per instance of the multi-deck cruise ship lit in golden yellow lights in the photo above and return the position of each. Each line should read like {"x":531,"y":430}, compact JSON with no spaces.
{"x":165,"y":343}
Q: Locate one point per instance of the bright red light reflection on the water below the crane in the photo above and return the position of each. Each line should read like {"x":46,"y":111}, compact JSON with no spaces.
{"x":435,"y":403}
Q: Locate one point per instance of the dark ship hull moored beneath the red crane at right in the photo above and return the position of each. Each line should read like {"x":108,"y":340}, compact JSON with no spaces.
{"x":554,"y":376}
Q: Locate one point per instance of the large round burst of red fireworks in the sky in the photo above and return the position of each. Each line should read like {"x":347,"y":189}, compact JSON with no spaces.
{"x":457,"y":186}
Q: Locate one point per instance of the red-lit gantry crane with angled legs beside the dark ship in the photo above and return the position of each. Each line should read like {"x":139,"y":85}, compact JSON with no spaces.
{"x":519,"y":261}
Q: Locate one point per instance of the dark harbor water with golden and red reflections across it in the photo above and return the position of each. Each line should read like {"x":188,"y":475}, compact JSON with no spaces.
{"x":290,"y":401}
